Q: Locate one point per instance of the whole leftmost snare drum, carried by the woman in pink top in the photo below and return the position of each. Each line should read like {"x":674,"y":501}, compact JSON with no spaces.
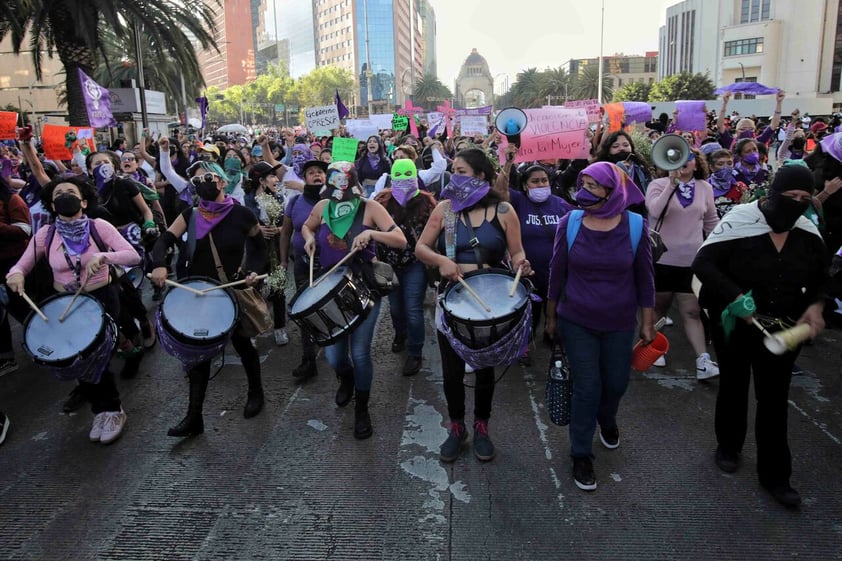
{"x":77,"y":348}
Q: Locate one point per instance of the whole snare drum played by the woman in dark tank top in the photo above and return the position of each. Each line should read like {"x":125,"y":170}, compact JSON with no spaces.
{"x":472,"y":324}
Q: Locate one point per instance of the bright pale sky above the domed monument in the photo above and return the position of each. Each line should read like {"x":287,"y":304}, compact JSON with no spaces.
{"x":514,"y":35}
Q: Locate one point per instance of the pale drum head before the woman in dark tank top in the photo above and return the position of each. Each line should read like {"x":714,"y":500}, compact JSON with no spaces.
{"x":493,"y":288}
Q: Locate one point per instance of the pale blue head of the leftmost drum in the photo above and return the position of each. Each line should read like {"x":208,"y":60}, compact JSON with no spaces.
{"x":54,"y":341}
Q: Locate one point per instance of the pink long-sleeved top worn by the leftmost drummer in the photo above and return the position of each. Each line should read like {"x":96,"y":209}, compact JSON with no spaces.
{"x":122,"y":254}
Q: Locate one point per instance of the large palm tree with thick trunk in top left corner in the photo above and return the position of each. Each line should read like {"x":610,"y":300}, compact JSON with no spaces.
{"x":72,"y":28}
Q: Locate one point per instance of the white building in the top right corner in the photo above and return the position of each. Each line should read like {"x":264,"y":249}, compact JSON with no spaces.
{"x":789,"y":44}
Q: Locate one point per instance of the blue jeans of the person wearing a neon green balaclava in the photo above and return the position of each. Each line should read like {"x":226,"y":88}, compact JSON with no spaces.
{"x":406,"y":306}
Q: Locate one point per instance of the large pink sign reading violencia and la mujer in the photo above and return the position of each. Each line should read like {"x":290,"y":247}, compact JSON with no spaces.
{"x":552,"y":133}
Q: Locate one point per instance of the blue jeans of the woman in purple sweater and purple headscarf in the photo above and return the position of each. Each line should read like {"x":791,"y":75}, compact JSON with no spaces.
{"x":600,"y":363}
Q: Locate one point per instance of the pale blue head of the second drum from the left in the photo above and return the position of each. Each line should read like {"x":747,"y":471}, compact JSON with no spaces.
{"x":197,"y":317}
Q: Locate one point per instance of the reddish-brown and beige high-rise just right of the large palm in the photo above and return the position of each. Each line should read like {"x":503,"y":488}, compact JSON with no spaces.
{"x":234,"y":63}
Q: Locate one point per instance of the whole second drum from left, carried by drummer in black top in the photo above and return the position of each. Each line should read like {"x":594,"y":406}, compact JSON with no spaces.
{"x":195,"y":328}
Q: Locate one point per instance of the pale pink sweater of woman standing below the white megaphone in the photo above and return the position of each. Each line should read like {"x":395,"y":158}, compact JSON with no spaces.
{"x":683,"y":229}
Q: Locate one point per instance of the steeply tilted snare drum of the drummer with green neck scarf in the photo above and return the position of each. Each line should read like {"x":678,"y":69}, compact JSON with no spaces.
{"x":333,"y":307}
